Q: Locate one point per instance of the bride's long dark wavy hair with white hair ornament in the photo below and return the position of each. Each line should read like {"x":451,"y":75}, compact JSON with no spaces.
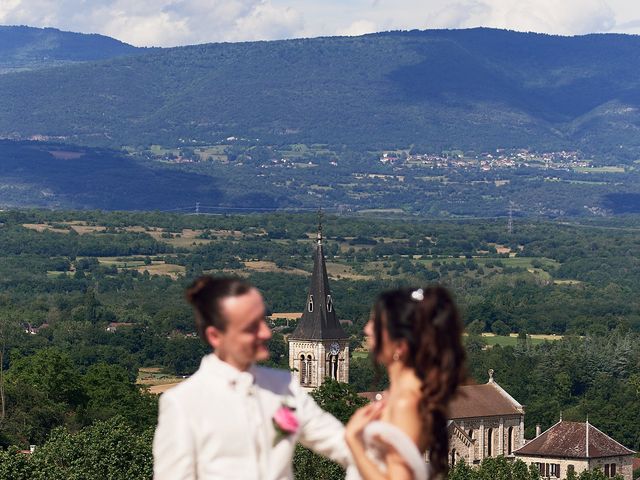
{"x":428,"y":320}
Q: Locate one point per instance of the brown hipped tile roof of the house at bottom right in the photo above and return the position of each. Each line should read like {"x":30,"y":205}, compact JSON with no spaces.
{"x":573,"y":440}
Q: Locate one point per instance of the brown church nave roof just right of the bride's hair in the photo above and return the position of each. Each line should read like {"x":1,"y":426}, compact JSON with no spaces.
{"x":486,"y":400}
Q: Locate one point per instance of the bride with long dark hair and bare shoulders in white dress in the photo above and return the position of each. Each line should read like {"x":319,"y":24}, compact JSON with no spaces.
{"x":416,"y":334}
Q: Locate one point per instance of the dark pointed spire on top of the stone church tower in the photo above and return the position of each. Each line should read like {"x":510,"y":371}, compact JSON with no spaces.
{"x":319,"y":320}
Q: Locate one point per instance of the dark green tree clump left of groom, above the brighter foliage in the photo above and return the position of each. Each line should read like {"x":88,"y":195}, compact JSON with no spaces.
{"x":48,"y":389}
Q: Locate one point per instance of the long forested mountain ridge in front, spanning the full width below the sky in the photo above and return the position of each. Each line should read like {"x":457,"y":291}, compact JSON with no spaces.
{"x":469,"y":89}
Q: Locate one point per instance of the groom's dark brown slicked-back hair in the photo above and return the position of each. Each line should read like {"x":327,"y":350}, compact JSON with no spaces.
{"x":205,"y":294}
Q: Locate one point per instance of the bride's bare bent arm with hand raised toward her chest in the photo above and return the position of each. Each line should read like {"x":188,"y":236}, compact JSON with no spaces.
{"x":396,"y":468}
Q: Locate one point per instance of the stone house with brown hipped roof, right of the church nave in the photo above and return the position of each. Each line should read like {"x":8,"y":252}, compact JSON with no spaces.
{"x":576,"y":446}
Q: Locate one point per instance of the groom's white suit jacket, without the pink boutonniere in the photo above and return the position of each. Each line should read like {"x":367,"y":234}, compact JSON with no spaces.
{"x":218,"y":425}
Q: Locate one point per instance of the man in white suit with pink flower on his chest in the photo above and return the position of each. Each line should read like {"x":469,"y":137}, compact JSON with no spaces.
{"x":226,"y":421}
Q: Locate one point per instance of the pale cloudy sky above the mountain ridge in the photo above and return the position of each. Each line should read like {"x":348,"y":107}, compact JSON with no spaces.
{"x":166,"y":23}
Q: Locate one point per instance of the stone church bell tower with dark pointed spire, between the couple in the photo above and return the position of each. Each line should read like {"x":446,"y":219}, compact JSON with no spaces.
{"x":319,"y":347}
